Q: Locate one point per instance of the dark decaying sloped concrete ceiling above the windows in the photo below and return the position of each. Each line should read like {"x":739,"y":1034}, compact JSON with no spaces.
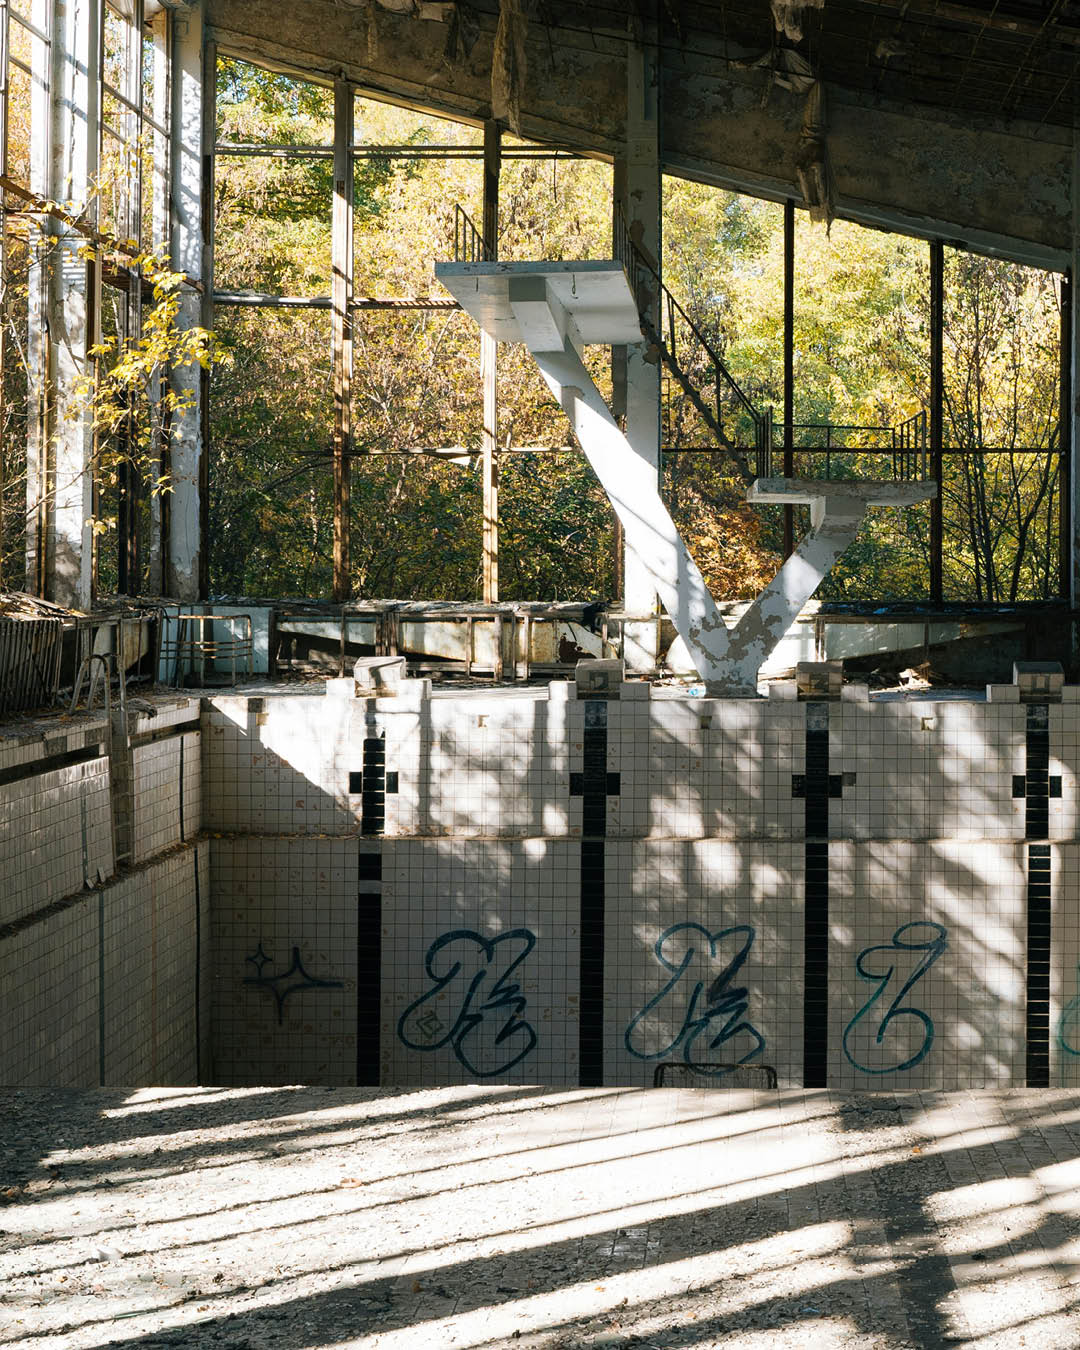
{"x":942,"y":119}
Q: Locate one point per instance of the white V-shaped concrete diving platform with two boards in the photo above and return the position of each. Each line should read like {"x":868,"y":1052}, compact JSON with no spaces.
{"x":557,"y":308}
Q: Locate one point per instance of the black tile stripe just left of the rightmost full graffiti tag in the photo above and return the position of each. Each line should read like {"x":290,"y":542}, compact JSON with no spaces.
{"x":817,"y":790}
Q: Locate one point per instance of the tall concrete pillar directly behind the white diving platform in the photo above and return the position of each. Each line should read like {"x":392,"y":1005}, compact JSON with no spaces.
{"x":642,"y":210}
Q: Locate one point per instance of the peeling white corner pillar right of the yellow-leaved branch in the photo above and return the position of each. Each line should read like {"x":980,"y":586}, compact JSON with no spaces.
{"x":191,"y":148}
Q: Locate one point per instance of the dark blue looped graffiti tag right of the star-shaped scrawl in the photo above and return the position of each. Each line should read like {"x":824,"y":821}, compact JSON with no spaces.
{"x":475,"y":1008}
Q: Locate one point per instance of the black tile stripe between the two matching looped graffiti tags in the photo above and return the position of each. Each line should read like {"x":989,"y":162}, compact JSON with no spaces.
{"x":593,"y":784}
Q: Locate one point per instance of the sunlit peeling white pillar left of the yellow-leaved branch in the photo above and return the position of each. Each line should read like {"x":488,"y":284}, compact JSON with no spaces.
{"x":64,"y":294}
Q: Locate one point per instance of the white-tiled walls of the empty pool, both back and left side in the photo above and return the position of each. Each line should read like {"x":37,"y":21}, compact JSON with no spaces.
{"x":519,"y":889}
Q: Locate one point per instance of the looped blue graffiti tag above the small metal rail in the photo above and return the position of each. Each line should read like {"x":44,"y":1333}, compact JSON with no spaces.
{"x":711,"y":1017}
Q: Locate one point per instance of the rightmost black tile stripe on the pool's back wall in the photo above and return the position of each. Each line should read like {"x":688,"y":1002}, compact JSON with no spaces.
{"x":1037,"y":827}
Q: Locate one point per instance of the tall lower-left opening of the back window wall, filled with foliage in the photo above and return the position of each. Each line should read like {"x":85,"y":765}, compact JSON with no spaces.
{"x":272,"y":515}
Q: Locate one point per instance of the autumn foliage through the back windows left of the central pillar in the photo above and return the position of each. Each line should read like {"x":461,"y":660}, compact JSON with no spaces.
{"x":415,"y":520}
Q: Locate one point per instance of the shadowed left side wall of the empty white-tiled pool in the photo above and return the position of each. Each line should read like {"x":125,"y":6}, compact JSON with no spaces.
{"x":103,"y":977}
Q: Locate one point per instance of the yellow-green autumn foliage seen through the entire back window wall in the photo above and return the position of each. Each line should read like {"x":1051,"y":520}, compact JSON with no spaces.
{"x":862,"y":368}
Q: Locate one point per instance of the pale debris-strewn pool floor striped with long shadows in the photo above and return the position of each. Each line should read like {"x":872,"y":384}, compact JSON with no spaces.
{"x":485,"y":1217}
